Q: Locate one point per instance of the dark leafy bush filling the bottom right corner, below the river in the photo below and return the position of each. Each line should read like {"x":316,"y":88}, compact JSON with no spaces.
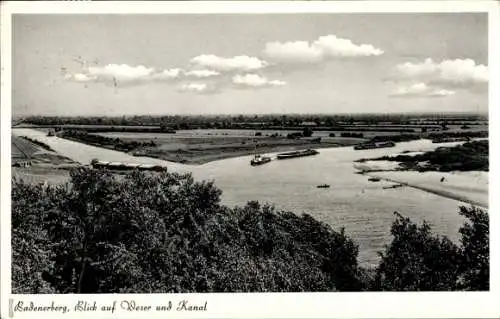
{"x":416,"y":260}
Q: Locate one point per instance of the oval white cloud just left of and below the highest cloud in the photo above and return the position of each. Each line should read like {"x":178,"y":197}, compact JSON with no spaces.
{"x":237,"y":63}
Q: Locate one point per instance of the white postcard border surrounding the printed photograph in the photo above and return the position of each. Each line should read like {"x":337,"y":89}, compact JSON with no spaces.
{"x":293,"y":305}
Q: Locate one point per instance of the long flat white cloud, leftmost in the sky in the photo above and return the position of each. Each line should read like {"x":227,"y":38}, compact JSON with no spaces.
{"x":124,"y":73}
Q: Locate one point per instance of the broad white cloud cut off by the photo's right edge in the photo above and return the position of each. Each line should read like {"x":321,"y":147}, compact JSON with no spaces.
{"x":450,"y":73}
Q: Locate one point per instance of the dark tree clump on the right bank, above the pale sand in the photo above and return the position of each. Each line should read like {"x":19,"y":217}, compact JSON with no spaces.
{"x":473,"y":156}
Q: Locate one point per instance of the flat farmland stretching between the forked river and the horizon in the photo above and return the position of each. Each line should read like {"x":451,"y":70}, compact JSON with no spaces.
{"x":201,"y":139}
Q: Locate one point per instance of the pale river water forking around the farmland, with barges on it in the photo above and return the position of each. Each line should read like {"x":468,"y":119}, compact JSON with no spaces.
{"x":364,"y":208}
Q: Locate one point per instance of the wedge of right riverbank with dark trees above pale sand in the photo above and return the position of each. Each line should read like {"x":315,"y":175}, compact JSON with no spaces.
{"x":459,"y":172}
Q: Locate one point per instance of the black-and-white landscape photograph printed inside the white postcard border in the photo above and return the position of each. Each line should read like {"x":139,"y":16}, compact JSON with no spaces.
{"x":194,"y":153}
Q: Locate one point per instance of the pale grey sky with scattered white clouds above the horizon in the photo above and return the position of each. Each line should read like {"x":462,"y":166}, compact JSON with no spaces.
{"x":249,"y":63}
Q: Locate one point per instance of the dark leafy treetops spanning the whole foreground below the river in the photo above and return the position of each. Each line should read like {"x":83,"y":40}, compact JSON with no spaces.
{"x":159,"y":233}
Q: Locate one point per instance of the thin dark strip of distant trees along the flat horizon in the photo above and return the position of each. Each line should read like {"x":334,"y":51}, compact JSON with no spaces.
{"x":271,"y":121}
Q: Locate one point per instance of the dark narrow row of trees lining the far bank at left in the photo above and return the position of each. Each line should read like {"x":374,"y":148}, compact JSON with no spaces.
{"x":103,"y":141}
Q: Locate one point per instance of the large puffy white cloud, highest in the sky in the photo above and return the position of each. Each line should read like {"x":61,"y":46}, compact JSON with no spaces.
{"x":324,"y":47}
